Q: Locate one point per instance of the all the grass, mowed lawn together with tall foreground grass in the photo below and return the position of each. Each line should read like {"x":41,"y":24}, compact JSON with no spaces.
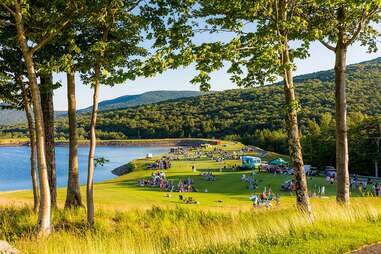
{"x":131,"y":219}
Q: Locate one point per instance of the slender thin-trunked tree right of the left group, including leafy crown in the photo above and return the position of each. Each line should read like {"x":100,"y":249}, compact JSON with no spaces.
{"x":112,"y":32}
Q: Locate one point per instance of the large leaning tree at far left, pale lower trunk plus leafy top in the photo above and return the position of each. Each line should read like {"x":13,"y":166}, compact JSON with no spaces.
{"x":21,"y":11}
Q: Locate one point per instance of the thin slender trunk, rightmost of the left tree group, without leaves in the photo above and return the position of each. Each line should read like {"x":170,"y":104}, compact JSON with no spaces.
{"x":90,"y":173}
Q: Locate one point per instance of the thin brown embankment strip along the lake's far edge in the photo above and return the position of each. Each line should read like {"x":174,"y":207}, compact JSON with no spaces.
{"x":128,"y":142}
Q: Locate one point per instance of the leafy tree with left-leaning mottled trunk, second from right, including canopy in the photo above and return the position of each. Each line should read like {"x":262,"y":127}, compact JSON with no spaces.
{"x":258,"y":53}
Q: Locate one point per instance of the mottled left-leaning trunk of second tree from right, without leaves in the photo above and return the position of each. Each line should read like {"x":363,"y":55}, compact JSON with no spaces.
{"x":295,"y":149}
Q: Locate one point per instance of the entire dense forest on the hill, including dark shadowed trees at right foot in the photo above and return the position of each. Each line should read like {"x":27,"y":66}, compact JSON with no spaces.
{"x":254,"y":116}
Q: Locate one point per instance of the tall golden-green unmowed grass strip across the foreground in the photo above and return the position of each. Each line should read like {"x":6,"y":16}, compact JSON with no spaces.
{"x":336,"y":230}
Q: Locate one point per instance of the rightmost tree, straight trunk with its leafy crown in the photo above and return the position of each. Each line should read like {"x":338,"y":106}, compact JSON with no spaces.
{"x":342,"y":23}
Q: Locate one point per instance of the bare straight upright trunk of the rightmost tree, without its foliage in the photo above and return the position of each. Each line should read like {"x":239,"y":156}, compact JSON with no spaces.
{"x":341,"y":115}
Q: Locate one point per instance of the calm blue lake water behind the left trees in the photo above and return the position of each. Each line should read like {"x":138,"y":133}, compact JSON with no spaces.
{"x":15,"y":164}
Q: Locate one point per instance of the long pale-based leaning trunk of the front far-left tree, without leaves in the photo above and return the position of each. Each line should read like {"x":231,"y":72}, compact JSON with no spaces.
{"x":44,"y":213}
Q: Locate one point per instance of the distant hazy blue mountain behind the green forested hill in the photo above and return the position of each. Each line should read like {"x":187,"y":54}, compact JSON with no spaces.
{"x":14,"y":116}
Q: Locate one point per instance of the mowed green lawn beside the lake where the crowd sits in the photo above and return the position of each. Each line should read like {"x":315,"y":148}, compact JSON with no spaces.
{"x":227,"y":192}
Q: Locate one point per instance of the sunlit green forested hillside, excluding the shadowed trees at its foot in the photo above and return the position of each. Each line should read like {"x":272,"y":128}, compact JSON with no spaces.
{"x":239,"y":111}
